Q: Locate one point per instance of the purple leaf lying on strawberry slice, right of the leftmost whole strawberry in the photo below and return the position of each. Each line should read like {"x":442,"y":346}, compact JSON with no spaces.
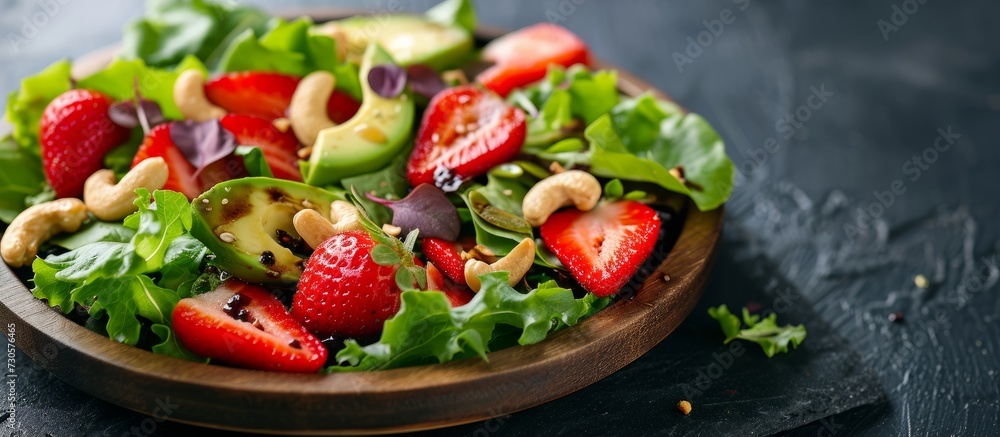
{"x":202,"y":143}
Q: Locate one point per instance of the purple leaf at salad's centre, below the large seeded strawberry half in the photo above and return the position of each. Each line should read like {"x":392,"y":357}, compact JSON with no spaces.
{"x":425,"y":208}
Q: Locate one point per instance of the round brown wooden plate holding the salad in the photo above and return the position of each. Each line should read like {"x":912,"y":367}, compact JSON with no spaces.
{"x":377,"y":402}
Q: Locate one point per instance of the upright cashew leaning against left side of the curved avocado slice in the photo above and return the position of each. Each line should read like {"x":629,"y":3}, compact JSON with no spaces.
{"x":307,"y":112}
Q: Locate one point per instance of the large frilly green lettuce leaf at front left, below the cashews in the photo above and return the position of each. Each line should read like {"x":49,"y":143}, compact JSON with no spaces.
{"x":113,"y":278}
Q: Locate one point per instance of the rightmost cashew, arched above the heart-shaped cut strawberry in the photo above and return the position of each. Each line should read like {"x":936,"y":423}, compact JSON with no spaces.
{"x":574,"y":187}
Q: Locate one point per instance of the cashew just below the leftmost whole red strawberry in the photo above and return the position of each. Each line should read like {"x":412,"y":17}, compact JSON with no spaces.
{"x":110,"y":202}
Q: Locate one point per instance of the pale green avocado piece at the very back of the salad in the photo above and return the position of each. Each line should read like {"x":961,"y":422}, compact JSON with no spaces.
{"x":409,"y":39}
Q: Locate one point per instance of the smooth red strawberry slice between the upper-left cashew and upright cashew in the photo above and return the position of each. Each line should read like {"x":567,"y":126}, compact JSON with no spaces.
{"x":256,"y":93}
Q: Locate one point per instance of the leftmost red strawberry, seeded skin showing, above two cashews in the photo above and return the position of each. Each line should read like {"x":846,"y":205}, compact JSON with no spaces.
{"x":75,"y":133}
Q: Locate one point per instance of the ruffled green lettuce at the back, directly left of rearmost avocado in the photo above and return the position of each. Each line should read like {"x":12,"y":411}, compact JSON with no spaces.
{"x":289,"y":48}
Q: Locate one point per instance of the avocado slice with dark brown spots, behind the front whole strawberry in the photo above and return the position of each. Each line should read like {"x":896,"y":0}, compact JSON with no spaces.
{"x":239,"y":220}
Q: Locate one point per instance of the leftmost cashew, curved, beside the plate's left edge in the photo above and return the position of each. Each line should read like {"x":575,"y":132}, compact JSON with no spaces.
{"x":36,"y":225}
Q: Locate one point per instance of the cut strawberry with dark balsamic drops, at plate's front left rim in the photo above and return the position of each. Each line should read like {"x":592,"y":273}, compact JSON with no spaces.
{"x":245,"y":325}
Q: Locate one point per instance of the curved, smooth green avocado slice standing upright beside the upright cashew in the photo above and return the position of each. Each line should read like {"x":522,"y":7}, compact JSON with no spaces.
{"x":368,"y":141}
